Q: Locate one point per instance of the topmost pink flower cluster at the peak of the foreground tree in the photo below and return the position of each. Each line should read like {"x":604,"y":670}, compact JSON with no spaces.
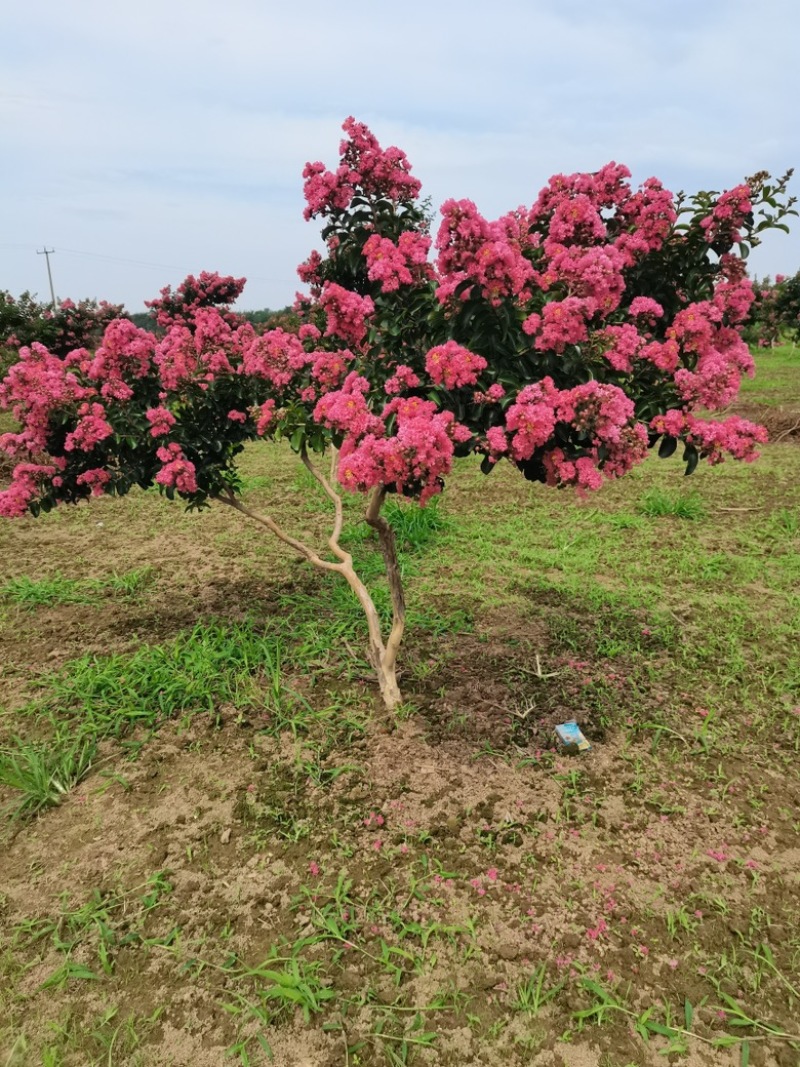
{"x":365,"y":167}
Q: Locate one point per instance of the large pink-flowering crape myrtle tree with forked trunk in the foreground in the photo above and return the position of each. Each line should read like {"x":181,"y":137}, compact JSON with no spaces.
{"x":566,"y":339}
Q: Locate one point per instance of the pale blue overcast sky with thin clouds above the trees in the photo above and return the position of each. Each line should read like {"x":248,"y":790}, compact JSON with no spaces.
{"x":146,"y":141}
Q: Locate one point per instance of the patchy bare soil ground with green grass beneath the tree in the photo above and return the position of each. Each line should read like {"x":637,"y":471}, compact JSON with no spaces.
{"x":244,"y":865}
